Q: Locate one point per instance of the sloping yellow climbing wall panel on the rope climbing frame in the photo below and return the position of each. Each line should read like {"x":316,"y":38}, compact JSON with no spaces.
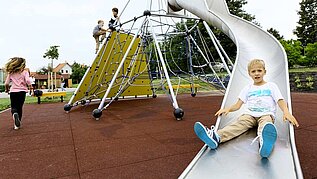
{"x":133,"y":78}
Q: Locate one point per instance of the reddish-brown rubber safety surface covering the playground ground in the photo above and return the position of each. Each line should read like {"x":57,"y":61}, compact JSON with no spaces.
{"x":137,"y":138}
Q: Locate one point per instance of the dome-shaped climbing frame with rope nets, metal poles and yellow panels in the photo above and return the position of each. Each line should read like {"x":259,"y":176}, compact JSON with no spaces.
{"x":162,"y":53}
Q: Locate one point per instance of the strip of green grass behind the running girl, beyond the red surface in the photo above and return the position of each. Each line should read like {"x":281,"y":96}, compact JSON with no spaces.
{"x":5,"y":102}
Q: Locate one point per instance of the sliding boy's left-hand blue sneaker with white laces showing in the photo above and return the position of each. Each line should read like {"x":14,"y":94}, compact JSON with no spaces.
{"x":208,"y":136}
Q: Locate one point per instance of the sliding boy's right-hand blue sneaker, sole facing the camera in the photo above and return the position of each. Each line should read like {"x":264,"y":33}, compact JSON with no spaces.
{"x":267,"y":140}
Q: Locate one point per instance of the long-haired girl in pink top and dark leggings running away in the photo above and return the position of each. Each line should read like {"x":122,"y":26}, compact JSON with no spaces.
{"x":19,"y":80}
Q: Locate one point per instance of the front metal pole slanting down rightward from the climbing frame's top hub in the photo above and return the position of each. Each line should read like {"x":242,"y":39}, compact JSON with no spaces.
{"x":175,"y":105}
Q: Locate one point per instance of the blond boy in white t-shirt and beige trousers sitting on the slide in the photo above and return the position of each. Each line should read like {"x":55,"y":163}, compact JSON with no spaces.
{"x":261,"y":99}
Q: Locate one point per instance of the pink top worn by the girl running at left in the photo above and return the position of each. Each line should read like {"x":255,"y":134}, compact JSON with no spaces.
{"x":18,"y":81}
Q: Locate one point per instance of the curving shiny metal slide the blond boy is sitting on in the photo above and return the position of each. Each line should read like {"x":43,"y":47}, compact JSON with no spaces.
{"x":237,"y":158}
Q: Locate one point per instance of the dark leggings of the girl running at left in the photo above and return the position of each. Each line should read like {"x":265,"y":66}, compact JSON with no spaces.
{"x":17,"y":100}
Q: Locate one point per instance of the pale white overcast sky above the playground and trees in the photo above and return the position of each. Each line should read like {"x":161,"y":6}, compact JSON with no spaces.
{"x":30,"y":27}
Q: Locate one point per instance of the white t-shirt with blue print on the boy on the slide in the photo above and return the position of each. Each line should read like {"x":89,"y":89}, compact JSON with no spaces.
{"x":261,"y":100}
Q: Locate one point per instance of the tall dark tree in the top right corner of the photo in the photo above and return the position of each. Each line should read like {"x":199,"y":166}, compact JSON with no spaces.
{"x":306,"y":30}
